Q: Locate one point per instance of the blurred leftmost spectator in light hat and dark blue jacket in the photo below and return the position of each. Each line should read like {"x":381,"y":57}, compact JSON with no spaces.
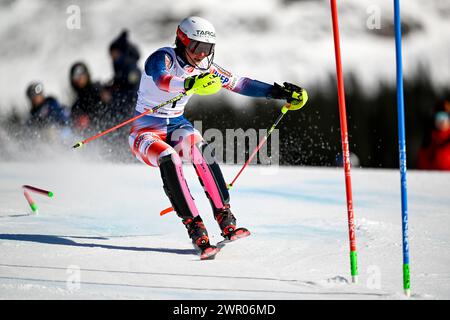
{"x":45,"y":111}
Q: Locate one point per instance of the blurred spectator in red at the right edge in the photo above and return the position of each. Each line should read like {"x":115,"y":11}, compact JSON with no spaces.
{"x":436,"y":155}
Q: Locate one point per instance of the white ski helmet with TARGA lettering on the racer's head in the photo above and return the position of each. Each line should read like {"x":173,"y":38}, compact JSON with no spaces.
{"x":197,"y":35}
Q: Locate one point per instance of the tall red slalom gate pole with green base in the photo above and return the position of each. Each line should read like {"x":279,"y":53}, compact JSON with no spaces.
{"x":345,"y":144}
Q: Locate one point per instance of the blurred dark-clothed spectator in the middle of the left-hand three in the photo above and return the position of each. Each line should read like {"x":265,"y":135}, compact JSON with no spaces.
{"x":91,"y":98}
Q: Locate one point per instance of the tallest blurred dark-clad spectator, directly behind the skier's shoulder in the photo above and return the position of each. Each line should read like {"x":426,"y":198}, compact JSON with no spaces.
{"x":127,"y":75}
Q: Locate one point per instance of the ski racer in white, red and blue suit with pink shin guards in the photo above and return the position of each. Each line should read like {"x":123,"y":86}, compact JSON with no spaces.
{"x":162,"y":139}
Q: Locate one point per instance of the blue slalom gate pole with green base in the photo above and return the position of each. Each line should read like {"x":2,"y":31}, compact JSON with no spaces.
{"x":402,"y":146}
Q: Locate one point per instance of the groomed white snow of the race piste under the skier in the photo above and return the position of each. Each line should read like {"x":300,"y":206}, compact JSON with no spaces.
{"x":101,"y":236}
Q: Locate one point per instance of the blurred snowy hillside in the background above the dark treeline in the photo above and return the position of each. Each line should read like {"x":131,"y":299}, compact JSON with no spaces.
{"x":270,"y":40}
